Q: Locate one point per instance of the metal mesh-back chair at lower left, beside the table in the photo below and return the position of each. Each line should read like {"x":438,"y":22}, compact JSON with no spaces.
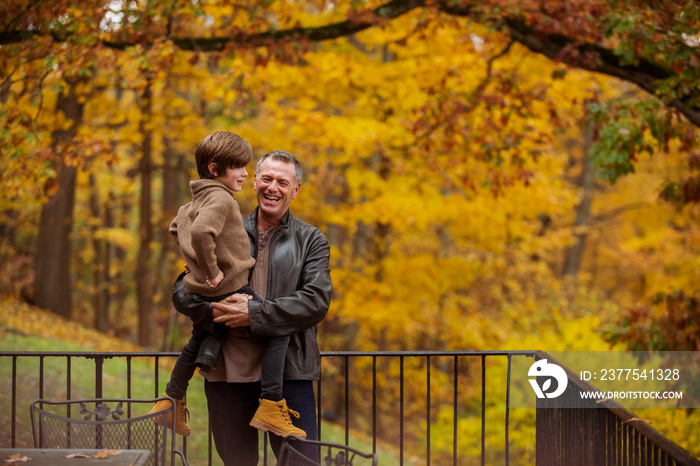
{"x":106,"y":424}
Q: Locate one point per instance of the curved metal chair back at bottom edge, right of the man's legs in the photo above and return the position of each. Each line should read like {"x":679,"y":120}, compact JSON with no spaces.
{"x":332,"y":454}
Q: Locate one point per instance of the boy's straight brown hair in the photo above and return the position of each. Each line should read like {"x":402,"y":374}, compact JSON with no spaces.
{"x":225,"y":149}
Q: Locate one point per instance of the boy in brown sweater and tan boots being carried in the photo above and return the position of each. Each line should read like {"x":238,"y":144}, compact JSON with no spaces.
{"x":209,"y":231}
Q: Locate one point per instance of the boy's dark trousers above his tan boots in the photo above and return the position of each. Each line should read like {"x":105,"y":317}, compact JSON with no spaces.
{"x":272,"y":360}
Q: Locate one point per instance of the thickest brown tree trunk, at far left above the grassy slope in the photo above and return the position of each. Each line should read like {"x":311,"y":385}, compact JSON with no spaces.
{"x":52,"y":280}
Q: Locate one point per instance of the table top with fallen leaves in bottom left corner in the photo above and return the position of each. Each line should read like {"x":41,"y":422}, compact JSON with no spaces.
{"x":59,"y":457}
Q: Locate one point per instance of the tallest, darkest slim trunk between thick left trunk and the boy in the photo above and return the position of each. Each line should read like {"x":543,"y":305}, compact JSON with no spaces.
{"x":144,"y":290}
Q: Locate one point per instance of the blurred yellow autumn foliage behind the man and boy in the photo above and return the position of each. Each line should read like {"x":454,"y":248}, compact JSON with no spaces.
{"x":443,"y":173}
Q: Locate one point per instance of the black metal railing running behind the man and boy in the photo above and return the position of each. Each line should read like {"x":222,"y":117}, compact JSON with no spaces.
{"x":425,"y":407}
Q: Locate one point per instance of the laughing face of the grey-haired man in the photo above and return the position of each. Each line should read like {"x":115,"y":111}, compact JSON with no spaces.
{"x":275,"y":188}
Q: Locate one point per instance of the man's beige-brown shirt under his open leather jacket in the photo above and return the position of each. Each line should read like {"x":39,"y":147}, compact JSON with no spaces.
{"x":241,"y":353}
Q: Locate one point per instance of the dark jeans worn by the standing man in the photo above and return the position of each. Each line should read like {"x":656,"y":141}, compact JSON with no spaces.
{"x":232,"y":406}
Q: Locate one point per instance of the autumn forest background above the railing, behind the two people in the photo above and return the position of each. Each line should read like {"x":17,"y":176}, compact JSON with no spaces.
{"x":506,"y":174}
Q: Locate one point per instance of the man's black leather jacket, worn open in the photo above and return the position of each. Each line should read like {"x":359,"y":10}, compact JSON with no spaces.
{"x":298,"y":296}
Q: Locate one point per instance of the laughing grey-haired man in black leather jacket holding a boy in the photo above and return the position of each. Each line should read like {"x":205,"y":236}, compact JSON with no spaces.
{"x":293,"y":276}
